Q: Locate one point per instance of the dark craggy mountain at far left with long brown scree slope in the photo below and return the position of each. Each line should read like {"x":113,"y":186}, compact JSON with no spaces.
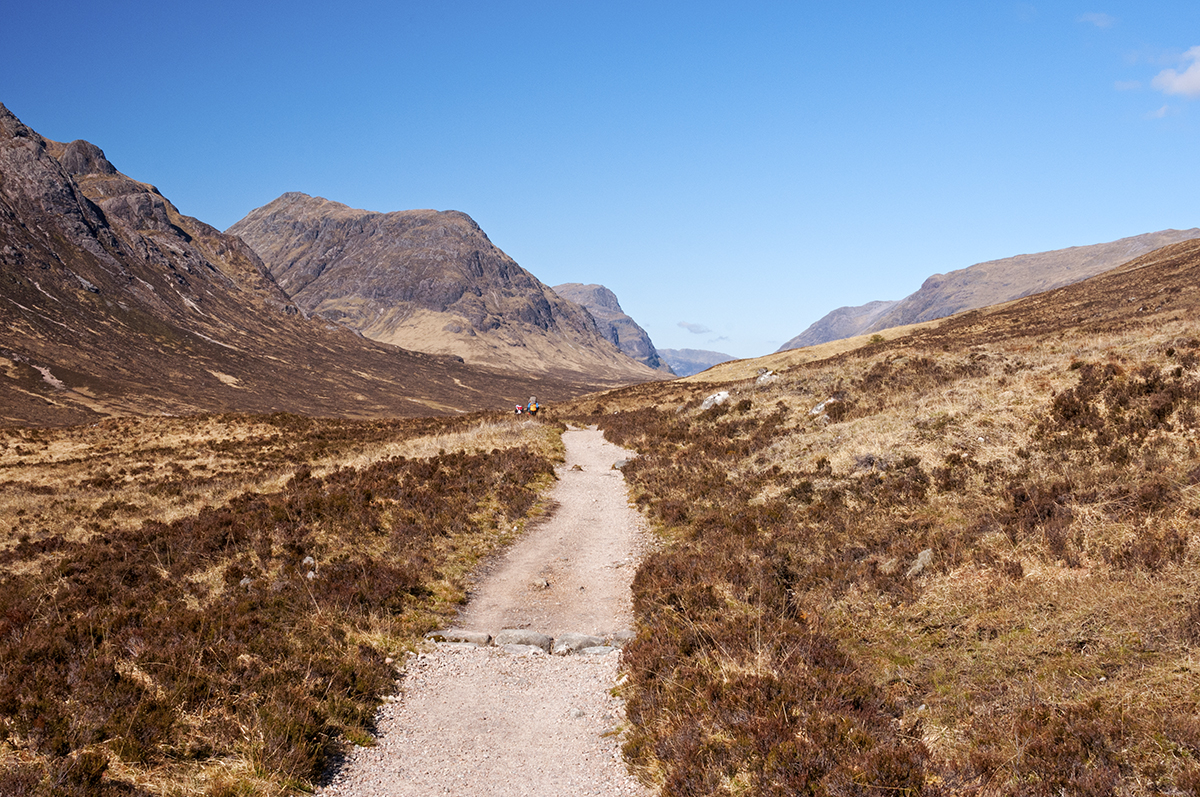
{"x":113,"y":303}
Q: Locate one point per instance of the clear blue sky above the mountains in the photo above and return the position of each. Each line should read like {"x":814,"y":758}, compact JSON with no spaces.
{"x":733,"y":172}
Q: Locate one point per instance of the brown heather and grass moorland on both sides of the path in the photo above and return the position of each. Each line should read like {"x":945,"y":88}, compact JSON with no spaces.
{"x":956,"y":561}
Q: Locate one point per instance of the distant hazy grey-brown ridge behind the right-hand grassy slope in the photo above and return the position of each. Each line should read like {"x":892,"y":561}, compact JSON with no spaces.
{"x":986,"y":284}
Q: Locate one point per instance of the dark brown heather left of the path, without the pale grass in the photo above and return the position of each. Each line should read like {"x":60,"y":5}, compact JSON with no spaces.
{"x":209,"y":639}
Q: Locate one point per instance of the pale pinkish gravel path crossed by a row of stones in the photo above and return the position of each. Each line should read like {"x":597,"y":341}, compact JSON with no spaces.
{"x":484,"y":721}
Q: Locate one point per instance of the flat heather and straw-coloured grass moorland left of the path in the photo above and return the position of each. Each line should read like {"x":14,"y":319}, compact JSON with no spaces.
{"x":160,"y":631}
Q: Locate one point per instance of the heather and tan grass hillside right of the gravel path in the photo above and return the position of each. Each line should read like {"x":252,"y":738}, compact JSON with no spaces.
{"x":1040,"y":459}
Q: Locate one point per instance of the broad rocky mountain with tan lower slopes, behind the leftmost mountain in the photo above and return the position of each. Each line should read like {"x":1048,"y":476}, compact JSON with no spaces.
{"x":429,"y":281}
